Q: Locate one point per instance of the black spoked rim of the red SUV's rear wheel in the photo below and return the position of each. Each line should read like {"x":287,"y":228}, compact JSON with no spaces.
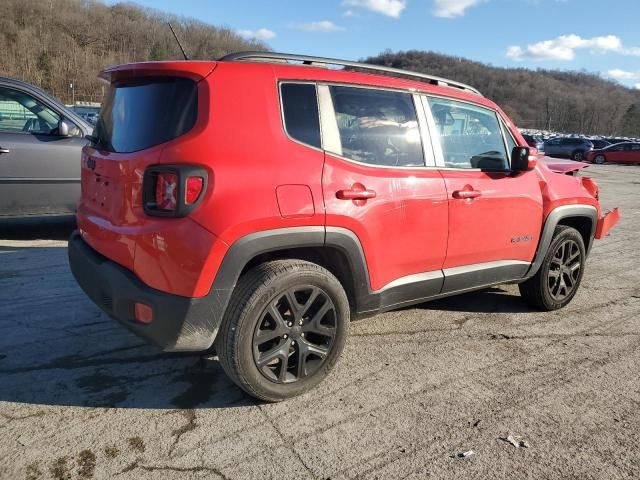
{"x":295,"y":334}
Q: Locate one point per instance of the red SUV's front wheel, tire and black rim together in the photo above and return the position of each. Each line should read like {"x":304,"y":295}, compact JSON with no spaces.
{"x":557,"y":280}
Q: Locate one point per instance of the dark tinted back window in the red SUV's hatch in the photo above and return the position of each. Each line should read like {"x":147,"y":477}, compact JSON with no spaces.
{"x":143,"y":113}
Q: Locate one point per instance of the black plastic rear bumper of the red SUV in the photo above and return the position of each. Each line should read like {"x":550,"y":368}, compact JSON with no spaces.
{"x":179,"y":323}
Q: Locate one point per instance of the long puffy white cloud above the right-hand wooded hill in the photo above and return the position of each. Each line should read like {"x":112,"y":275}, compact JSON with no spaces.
{"x":564,"y":47}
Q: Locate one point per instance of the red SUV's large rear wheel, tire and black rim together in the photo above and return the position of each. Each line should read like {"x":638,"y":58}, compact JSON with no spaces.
{"x":284,"y":329}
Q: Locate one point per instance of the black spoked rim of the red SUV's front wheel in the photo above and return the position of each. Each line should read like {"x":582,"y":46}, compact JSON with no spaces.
{"x":564,"y":270}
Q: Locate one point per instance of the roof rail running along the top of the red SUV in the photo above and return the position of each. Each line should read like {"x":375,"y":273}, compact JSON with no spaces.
{"x":319,"y":61}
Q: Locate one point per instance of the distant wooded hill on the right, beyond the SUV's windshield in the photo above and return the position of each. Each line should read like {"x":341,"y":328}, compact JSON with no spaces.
{"x":543,"y":99}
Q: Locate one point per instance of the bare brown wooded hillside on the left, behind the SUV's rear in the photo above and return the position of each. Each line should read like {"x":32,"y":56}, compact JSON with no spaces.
{"x":53,"y":43}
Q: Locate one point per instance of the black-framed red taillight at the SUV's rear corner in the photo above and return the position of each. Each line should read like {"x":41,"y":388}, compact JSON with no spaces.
{"x":172,"y":190}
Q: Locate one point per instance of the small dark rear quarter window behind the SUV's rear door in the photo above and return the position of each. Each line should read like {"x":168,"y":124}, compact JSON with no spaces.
{"x":300,"y":112}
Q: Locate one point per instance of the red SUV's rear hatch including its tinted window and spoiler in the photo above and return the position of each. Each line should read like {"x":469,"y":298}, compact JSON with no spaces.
{"x":146,"y":108}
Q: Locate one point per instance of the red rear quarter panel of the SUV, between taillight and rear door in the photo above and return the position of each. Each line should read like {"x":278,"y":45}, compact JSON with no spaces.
{"x":249,"y":156}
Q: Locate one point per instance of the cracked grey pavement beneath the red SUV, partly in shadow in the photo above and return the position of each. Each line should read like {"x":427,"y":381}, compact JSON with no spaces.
{"x":80,"y":397}
